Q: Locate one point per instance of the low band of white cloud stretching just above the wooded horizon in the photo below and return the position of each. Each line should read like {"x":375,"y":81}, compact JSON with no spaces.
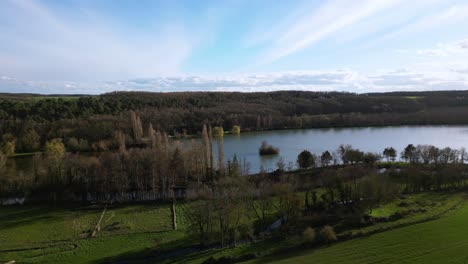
{"x":333,"y":80}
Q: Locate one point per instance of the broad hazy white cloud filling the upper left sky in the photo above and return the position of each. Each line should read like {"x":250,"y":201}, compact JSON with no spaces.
{"x":46,"y":44}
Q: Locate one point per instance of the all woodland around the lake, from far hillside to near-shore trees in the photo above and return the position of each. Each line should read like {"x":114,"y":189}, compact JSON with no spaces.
{"x":124,"y":147}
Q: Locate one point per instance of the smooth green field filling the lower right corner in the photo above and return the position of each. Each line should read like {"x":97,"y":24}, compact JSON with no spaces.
{"x":440,"y":241}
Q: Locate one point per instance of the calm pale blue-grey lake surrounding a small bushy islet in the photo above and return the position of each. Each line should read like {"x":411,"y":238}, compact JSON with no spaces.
{"x":375,"y":139}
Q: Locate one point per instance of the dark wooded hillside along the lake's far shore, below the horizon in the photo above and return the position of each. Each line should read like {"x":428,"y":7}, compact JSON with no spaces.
{"x":88,"y":123}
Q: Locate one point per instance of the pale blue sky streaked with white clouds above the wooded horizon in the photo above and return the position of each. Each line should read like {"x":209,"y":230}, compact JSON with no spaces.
{"x":94,"y":47}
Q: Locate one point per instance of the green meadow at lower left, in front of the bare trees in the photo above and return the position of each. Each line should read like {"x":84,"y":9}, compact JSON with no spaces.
{"x":60,"y":235}
